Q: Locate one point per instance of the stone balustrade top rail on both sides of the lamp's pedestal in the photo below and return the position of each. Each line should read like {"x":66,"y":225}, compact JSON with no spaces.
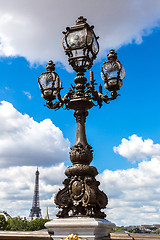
{"x":43,"y":235}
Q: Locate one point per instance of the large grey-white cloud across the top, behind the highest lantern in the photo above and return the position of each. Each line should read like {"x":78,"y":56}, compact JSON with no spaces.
{"x":32,"y":29}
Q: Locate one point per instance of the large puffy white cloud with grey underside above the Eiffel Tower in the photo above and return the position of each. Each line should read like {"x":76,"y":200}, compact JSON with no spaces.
{"x":25,"y":142}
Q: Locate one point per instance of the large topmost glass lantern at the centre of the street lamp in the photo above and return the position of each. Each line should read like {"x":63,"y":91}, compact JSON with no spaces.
{"x":80,"y":44}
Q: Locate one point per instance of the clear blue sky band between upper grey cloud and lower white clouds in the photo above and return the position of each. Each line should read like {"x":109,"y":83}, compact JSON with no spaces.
{"x":131,"y":113}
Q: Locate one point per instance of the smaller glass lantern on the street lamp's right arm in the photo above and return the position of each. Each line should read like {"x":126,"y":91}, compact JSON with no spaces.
{"x":112,"y":72}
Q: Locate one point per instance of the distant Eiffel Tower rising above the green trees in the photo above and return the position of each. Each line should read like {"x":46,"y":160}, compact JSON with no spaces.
{"x":35,"y":211}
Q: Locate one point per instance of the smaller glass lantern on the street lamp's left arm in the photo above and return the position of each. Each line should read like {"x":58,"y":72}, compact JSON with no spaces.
{"x":49,"y":82}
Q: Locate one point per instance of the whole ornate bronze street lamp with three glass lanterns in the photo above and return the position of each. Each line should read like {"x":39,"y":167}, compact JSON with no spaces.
{"x":81,"y":195}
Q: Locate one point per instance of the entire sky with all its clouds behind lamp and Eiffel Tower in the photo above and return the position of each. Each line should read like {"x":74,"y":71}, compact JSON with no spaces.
{"x":135,"y":34}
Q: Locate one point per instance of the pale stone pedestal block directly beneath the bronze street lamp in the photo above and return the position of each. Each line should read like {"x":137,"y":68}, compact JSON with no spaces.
{"x":85,"y":228}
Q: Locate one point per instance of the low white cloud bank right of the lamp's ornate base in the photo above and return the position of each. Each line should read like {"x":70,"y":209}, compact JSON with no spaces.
{"x":133,"y":194}
